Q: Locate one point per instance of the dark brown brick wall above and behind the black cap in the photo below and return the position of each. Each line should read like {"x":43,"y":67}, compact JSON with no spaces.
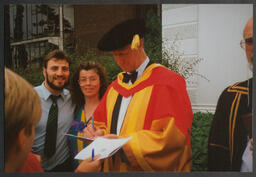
{"x":92,"y":21}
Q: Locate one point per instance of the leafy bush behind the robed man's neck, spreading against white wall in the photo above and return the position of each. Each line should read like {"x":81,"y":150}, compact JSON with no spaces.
{"x":171,"y":55}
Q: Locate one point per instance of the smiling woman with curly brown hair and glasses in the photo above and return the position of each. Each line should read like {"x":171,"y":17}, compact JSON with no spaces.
{"x":88,"y":85}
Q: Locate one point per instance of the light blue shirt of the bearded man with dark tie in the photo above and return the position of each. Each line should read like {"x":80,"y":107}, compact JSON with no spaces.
{"x":65,"y":118}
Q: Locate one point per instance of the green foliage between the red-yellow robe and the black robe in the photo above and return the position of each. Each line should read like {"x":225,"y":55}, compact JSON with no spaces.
{"x":199,"y":140}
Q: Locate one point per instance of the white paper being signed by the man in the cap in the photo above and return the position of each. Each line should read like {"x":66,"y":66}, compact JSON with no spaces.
{"x":103,"y":146}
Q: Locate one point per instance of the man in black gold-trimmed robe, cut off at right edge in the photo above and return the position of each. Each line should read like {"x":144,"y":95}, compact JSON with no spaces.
{"x":230,"y":140}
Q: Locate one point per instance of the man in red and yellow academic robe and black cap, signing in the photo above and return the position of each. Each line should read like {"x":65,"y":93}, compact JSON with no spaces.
{"x":147,"y":102}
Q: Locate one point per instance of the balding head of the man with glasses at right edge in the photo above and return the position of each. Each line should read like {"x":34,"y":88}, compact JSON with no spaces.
{"x":248,"y":33}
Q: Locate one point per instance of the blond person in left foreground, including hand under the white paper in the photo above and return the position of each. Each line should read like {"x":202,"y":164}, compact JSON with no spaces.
{"x":22,"y":113}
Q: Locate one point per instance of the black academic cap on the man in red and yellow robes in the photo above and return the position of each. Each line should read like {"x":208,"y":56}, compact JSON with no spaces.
{"x":121,"y":34}
